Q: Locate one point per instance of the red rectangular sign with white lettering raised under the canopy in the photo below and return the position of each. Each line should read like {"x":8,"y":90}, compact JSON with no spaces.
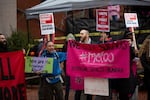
{"x":102,"y":20}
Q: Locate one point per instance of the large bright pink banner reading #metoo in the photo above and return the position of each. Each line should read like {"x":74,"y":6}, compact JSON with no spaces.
{"x":110,"y":60}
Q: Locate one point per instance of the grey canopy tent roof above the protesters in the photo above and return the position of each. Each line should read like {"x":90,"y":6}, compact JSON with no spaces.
{"x":69,"y":5}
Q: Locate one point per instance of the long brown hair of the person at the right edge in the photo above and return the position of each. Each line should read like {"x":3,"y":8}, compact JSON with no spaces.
{"x":145,"y":48}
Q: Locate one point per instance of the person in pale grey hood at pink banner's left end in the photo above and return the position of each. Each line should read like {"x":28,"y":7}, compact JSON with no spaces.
{"x":70,"y":36}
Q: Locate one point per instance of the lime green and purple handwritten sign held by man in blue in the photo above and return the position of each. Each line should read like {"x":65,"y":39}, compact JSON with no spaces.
{"x":42,"y":64}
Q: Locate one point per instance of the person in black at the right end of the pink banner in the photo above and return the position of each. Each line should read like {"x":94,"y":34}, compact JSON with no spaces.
{"x":126,"y":86}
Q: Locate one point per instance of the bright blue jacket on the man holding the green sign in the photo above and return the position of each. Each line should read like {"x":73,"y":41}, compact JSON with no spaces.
{"x":58,"y":58}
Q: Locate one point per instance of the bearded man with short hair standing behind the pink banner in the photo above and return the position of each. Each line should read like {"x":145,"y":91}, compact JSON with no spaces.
{"x":84,"y":38}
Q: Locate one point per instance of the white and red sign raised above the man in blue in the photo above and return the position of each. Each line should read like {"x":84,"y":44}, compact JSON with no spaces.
{"x":47,"y":23}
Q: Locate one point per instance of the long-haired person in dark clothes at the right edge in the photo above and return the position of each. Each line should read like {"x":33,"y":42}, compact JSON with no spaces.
{"x":144,"y":54}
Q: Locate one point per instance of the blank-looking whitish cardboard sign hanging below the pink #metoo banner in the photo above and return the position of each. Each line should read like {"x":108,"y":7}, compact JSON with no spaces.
{"x":96,"y":86}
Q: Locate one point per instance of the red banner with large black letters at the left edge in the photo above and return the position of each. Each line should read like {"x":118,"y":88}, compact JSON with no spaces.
{"x":12,"y":79}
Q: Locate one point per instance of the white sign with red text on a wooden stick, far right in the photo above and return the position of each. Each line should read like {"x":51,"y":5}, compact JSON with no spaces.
{"x":131,"y":20}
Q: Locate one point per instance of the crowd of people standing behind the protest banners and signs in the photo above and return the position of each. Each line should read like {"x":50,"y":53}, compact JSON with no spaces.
{"x":51,"y":84}
